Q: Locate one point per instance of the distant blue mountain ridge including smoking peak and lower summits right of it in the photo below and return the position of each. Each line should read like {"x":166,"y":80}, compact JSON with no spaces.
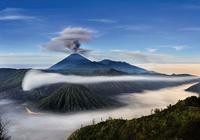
{"x":76,"y":62}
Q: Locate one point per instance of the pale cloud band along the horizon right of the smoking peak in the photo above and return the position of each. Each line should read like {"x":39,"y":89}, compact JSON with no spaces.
{"x":139,"y":57}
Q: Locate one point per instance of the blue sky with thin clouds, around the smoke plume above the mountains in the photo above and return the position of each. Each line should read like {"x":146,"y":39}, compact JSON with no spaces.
{"x":137,"y":31}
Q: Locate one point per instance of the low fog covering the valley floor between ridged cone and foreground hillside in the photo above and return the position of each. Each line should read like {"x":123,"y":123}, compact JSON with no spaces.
{"x":39,"y":126}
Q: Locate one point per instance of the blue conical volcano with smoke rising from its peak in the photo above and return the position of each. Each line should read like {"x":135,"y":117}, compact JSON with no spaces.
{"x":77,"y":64}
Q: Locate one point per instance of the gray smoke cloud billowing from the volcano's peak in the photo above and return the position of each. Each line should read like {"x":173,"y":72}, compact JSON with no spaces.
{"x":70,"y":40}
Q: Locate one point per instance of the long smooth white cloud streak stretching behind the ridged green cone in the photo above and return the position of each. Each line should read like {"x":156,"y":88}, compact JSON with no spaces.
{"x":34,"y":79}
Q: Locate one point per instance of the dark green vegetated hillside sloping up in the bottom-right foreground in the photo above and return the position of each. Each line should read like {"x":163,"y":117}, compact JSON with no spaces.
{"x":178,"y":122}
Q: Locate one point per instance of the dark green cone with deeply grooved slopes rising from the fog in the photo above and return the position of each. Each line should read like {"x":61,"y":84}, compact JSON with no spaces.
{"x":74,"y":98}
